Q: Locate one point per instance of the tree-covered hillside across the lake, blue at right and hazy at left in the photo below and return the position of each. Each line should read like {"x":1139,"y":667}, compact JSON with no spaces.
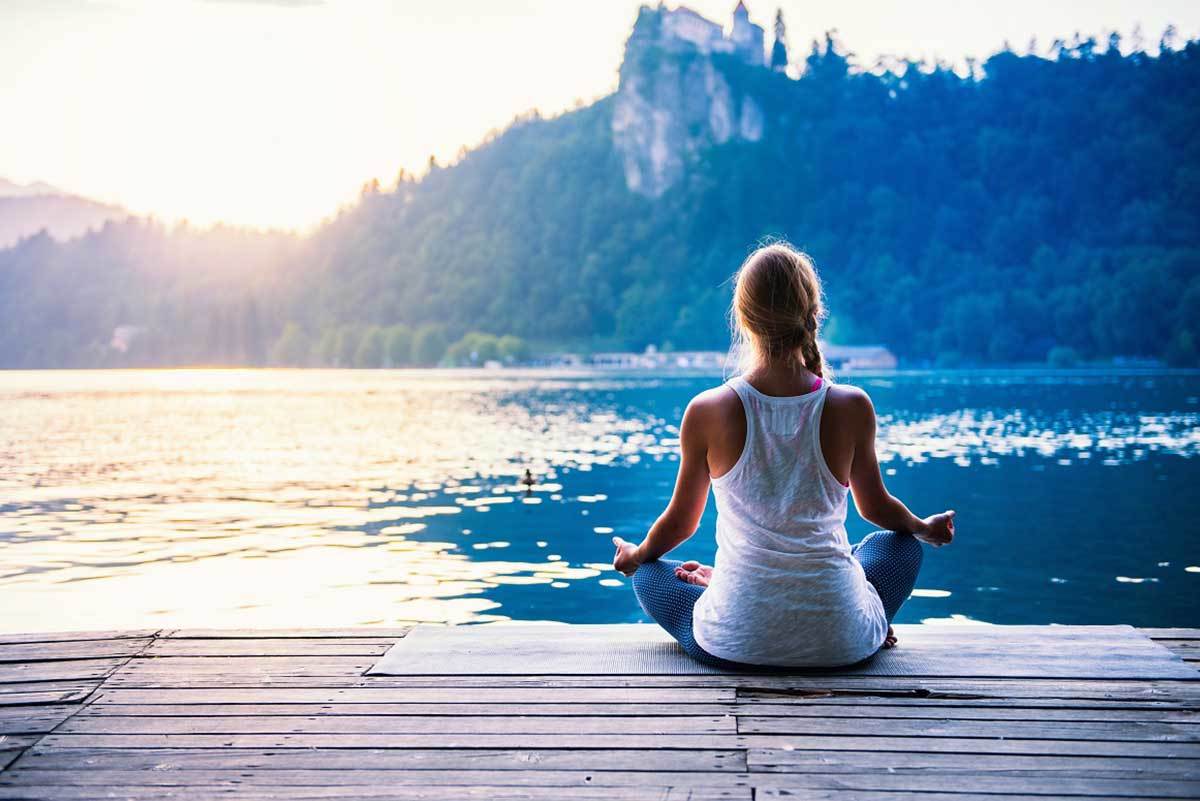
{"x":1042,"y":208}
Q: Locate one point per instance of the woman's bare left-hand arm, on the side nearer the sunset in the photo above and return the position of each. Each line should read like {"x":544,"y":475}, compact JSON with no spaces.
{"x":682,"y":516}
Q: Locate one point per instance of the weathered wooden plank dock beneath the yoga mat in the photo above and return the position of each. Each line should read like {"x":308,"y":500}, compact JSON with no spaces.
{"x":291,"y":715}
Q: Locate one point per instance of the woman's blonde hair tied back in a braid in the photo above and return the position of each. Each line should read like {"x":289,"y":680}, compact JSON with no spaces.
{"x":778,"y":310}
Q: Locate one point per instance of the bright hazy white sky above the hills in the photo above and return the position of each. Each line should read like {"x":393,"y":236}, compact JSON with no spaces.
{"x":275,"y":112}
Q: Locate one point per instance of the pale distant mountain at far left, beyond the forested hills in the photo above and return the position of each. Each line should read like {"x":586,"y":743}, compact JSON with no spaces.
{"x":28,"y":209}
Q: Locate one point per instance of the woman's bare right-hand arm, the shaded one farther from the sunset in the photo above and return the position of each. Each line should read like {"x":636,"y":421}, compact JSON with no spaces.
{"x":872,"y":497}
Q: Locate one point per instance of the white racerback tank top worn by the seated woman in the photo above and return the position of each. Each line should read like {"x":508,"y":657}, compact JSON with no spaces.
{"x":785,"y":588}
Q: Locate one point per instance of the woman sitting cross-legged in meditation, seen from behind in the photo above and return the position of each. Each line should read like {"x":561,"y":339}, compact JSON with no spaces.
{"x":782,"y":447}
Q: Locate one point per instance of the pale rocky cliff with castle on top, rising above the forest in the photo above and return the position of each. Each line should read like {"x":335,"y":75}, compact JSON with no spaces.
{"x":676,"y":97}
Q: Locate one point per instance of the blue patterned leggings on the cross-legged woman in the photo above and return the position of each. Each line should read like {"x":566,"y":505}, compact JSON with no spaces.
{"x":890,"y":559}
